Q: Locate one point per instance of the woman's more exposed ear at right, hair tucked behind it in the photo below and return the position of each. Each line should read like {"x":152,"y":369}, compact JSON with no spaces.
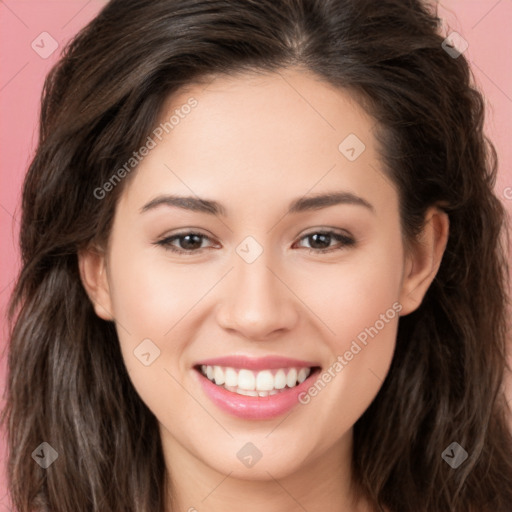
{"x":423,"y":258}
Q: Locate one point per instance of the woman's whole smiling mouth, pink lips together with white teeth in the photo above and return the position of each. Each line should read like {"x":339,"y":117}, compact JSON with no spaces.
{"x":255,"y":388}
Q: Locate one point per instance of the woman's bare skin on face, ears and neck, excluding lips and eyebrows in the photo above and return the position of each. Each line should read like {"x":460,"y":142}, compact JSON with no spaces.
{"x":254,"y":143}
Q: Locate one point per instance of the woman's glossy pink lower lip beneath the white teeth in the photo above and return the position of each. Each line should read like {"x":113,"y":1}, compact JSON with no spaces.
{"x":255,"y":407}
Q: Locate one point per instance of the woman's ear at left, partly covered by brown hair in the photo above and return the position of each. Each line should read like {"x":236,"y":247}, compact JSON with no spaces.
{"x":93,"y":273}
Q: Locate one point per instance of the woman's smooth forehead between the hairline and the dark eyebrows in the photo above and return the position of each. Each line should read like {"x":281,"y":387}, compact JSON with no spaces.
{"x":258,"y":136}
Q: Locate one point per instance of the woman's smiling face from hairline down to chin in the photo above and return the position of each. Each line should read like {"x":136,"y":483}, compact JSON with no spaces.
{"x":253,"y":281}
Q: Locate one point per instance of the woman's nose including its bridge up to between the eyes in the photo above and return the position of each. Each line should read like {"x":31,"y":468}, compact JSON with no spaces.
{"x":257,"y":303}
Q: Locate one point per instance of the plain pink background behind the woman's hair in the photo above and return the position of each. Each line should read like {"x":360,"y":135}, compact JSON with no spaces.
{"x":485,"y":24}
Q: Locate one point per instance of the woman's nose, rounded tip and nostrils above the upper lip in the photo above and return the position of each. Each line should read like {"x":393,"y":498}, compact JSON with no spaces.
{"x":257,"y":301}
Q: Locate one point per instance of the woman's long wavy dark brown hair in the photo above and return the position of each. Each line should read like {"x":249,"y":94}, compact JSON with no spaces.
{"x":67,"y":383}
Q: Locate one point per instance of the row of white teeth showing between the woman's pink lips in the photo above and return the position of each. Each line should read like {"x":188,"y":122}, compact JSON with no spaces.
{"x":251,"y":383}
